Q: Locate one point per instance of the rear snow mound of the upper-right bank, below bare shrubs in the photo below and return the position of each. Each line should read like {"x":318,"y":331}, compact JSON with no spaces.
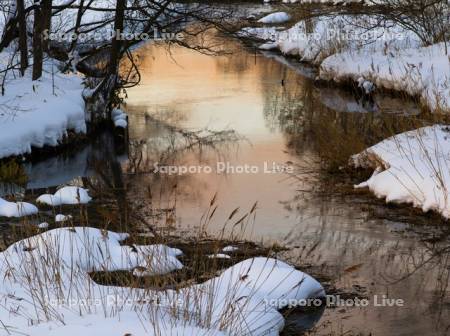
{"x":314,"y":41}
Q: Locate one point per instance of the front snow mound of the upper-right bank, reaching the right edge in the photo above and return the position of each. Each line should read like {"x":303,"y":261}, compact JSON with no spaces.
{"x":424,"y":72}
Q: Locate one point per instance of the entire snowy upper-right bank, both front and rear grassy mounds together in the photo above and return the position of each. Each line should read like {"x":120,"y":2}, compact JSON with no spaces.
{"x":346,"y":48}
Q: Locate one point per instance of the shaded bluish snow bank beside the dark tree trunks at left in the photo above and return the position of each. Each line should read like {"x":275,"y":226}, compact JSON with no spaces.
{"x":39,"y":113}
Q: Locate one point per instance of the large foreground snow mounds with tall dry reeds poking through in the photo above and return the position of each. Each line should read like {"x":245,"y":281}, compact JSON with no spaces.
{"x":46,"y":283}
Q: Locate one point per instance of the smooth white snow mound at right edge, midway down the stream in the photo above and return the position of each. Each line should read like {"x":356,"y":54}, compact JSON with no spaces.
{"x":411,"y":167}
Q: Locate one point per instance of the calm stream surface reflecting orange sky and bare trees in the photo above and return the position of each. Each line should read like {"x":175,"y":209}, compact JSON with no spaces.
{"x":286,"y":122}
